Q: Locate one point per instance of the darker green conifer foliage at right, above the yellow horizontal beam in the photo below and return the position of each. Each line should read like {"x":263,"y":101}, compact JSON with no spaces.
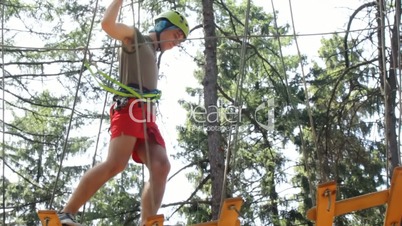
{"x":343,"y":107}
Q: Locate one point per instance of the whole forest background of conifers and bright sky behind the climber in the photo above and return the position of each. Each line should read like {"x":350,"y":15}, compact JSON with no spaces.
{"x":336,"y":104}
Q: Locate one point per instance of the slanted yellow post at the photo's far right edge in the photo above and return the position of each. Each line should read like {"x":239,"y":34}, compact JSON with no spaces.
{"x":394,"y":206}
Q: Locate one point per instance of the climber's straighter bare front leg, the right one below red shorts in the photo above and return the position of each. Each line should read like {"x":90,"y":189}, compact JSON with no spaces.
{"x":154,"y":189}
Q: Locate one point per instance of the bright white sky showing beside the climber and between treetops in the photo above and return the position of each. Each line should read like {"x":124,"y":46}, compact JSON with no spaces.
{"x":310,"y":17}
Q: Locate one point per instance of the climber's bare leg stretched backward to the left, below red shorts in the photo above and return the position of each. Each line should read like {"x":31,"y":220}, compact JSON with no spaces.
{"x":120,"y":150}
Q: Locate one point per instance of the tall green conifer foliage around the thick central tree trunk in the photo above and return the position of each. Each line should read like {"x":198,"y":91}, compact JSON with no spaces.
{"x":255,"y":166}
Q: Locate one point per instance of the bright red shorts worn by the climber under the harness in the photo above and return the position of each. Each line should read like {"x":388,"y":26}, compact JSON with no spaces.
{"x":129,"y":120}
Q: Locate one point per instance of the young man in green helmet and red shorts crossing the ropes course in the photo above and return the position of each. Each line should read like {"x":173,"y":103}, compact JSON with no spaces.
{"x":127,"y":127}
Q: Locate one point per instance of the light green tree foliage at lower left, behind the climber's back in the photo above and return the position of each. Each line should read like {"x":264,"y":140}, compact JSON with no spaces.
{"x":33,"y":156}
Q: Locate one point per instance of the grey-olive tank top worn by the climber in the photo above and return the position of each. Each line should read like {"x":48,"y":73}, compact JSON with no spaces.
{"x":132,"y":70}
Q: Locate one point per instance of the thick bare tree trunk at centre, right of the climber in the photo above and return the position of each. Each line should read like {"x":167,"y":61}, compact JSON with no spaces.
{"x":215,"y":155}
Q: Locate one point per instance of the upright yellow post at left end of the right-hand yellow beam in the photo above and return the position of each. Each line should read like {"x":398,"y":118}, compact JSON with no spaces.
{"x":326,"y":198}
